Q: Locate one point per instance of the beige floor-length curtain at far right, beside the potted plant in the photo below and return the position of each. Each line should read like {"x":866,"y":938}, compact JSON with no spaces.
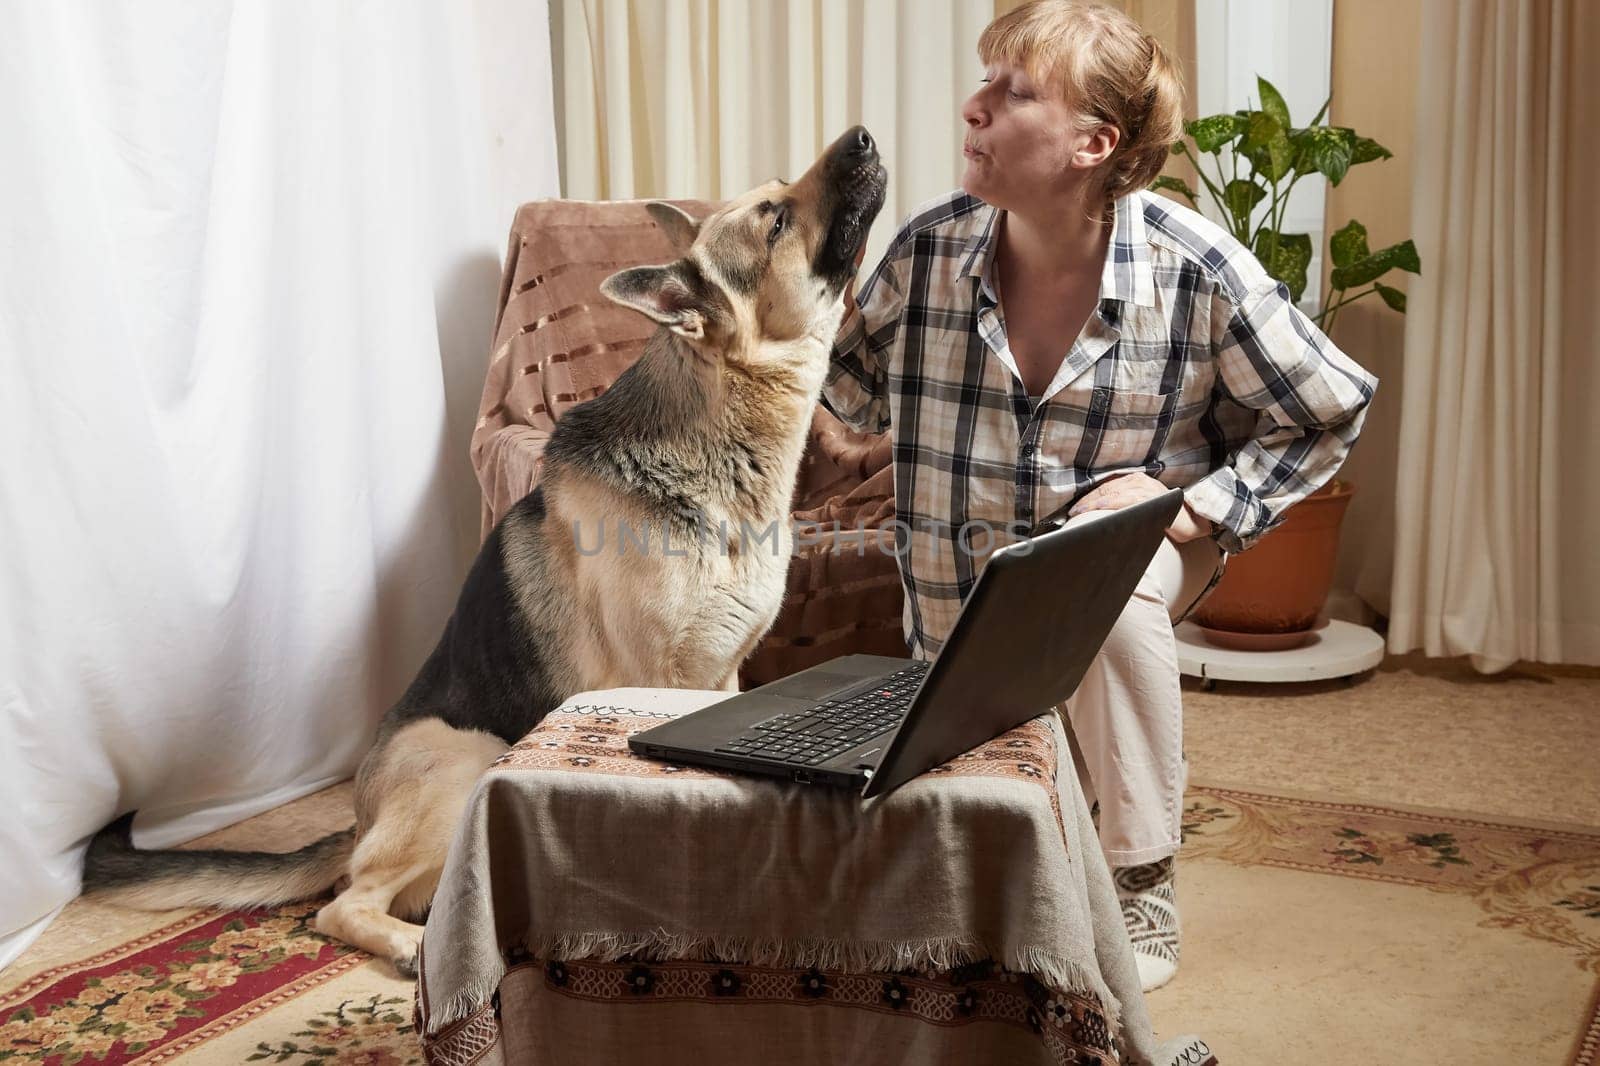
{"x":1498,"y":505}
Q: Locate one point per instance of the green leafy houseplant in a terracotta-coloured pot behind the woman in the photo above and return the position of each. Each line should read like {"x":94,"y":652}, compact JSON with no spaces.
{"x":1273,"y":596}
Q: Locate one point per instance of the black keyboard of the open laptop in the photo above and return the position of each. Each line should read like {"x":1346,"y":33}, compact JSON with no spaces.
{"x":833,"y":727}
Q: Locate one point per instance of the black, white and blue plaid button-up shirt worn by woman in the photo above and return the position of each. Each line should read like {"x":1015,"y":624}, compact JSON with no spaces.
{"x":1196,"y":369}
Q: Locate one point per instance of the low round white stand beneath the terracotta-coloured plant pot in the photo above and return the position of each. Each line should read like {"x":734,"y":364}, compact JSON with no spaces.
{"x":1337,"y":649}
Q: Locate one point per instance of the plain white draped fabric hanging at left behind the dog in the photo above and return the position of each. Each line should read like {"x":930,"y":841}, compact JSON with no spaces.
{"x":247,"y":286}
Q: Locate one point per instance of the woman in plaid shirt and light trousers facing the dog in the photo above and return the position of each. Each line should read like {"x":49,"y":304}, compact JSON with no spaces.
{"x":1057,"y":339}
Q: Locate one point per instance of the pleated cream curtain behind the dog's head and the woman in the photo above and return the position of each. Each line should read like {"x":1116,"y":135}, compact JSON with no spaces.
{"x":706,"y":98}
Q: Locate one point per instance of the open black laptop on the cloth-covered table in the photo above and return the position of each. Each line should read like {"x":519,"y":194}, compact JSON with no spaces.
{"x":1025,"y":638}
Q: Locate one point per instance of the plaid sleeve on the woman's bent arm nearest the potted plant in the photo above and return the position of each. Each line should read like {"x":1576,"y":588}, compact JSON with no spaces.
{"x":1311,"y":399}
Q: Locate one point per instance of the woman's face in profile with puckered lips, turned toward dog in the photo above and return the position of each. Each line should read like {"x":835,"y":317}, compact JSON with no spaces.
{"x":1023,"y":146}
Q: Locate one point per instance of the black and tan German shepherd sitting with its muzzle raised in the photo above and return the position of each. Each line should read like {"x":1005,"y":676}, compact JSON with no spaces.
{"x":705,"y":431}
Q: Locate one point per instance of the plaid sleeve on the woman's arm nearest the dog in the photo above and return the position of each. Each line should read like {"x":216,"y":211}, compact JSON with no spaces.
{"x":857,"y":387}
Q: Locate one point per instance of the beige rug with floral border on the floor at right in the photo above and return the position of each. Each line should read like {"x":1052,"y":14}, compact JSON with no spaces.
{"x":1385,"y":936}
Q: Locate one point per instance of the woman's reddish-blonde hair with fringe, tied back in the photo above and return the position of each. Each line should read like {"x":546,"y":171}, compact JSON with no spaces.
{"x":1103,"y":63}
